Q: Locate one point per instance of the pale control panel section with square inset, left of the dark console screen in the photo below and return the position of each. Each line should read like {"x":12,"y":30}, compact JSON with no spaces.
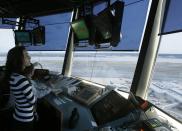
{"x":81,"y":91}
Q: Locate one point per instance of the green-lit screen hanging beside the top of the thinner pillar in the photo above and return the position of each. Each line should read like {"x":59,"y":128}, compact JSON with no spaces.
{"x":80,"y":29}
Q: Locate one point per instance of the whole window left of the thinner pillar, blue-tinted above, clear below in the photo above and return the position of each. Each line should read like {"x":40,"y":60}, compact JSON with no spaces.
{"x":51,"y":55}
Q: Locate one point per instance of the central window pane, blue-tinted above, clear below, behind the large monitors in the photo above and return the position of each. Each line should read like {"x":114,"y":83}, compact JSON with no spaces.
{"x":114,"y":68}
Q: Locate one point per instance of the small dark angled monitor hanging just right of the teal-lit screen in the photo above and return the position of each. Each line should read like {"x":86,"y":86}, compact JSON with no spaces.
{"x":38,"y":35}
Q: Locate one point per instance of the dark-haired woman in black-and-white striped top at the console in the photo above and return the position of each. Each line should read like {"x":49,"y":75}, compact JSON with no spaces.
{"x":23,"y":116}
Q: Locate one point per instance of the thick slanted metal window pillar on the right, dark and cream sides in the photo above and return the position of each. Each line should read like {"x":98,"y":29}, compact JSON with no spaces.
{"x":149,"y":49}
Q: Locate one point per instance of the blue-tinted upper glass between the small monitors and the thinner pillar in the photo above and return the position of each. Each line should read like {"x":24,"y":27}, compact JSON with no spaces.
{"x":56,"y":32}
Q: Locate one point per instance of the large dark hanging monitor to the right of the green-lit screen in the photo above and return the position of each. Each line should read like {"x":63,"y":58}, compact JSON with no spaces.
{"x":107,"y":24}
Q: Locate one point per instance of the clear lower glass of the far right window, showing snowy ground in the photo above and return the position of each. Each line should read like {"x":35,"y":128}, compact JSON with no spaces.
{"x":166,"y":86}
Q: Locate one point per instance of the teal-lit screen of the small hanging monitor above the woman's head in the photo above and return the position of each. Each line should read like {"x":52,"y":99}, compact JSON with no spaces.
{"x":23,"y":36}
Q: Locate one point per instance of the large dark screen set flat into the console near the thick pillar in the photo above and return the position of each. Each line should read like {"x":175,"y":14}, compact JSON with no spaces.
{"x":111,"y":107}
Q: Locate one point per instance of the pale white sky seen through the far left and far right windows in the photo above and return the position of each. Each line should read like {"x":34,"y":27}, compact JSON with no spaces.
{"x":170,"y":43}
